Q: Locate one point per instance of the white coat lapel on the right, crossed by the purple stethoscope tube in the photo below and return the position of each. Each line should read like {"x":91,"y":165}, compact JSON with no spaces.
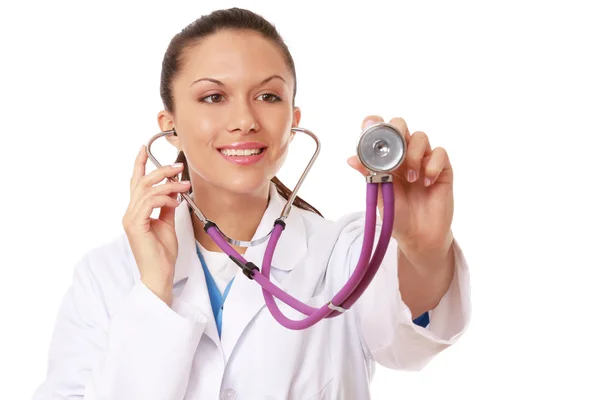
{"x":245,"y":297}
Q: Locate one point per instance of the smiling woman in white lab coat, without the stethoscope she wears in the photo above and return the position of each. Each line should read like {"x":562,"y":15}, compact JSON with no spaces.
{"x":162,"y":313}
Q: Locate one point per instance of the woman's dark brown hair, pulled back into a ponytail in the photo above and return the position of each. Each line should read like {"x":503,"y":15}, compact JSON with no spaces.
{"x":233,"y":19}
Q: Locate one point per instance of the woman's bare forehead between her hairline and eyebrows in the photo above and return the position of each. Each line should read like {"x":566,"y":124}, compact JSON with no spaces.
{"x":234,"y":55}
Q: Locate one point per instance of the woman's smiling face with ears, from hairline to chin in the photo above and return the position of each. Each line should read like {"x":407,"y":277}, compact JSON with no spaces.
{"x":233,"y":111}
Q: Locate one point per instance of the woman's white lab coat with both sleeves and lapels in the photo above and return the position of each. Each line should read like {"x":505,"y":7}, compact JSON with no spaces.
{"x":114,"y":339}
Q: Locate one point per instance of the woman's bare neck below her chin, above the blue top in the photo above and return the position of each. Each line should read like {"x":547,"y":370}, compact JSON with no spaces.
{"x":238,"y":216}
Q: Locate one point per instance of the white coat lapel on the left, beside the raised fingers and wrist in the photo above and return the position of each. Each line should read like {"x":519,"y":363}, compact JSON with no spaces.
{"x":193,"y":302}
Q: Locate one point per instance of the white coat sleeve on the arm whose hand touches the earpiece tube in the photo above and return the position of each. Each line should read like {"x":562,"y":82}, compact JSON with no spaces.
{"x":144,"y":350}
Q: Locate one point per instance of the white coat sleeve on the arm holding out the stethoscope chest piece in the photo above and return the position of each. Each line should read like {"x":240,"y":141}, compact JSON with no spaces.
{"x":389,"y":335}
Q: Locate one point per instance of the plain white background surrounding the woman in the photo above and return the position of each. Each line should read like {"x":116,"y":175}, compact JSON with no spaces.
{"x":510,"y":89}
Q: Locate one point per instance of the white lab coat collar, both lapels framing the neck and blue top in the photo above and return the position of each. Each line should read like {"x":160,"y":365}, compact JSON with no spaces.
{"x":245,"y":298}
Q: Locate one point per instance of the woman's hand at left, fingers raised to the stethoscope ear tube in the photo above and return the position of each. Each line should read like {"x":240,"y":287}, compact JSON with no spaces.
{"x":153,"y":241}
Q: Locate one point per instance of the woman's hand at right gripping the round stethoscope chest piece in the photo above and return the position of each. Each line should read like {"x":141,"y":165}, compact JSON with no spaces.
{"x":424,"y":203}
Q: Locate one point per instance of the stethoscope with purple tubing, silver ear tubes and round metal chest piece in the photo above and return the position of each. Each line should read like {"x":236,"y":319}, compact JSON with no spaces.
{"x":381,"y":149}
